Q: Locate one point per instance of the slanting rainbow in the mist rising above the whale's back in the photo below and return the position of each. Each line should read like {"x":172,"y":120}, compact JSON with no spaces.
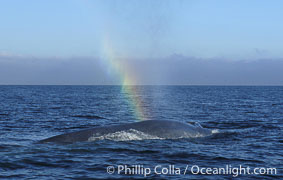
{"x":127,"y":78}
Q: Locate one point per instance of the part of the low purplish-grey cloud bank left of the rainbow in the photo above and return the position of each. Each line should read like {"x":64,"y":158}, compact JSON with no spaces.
{"x":51,"y":71}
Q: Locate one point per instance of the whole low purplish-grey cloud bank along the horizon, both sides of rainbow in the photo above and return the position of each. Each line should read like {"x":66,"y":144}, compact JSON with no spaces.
{"x":173,"y":70}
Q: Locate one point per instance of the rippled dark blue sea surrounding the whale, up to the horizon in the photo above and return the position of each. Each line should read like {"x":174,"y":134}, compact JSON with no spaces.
{"x":249,"y":120}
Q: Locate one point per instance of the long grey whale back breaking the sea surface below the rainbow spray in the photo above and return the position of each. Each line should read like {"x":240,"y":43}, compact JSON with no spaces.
{"x":150,"y":129}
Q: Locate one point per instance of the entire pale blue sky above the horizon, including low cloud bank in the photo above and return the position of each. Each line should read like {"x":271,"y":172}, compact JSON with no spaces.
{"x":82,"y":41}
